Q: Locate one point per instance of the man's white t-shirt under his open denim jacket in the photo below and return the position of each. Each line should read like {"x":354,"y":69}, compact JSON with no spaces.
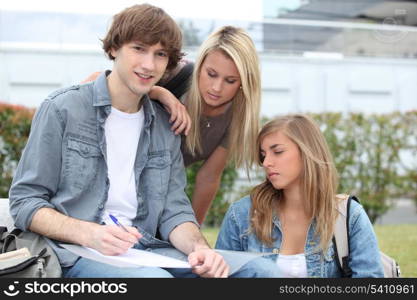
{"x":122,"y":132}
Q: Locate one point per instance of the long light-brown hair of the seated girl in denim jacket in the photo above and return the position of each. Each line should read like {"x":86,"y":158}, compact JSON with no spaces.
{"x":319,"y":179}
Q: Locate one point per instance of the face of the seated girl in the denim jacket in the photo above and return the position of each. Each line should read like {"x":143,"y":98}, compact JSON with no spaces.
{"x":281,"y":160}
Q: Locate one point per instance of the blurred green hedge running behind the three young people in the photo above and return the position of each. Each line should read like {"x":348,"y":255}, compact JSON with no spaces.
{"x":374,"y":154}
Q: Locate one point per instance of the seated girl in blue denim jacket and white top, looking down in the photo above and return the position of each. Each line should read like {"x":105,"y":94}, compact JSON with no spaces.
{"x":293,"y":212}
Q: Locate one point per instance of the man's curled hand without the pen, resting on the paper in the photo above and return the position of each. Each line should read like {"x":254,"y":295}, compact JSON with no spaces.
{"x":206,"y":262}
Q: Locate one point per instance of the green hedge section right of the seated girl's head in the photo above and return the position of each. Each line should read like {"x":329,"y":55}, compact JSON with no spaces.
{"x":367,"y":151}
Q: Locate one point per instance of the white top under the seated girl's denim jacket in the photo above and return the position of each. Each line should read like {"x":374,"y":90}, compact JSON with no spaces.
{"x":292,"y":265}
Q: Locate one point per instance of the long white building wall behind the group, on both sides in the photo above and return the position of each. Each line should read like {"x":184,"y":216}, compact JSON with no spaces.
{"x":289,"y":84}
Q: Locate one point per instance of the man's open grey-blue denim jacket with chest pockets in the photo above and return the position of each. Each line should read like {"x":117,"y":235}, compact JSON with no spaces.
{"x":63,"y":166}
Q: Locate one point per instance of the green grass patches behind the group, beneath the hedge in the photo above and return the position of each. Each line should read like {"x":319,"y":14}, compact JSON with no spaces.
{"x":397,"y":241}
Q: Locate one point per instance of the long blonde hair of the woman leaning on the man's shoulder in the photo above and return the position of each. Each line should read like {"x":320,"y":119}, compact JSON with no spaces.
{"x":236,"y":44}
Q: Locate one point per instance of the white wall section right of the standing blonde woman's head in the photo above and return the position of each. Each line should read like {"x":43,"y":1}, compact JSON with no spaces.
{"x":370,"y":85}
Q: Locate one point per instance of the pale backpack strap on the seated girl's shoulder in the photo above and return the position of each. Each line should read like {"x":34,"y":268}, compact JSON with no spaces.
{"x":341,"y":236}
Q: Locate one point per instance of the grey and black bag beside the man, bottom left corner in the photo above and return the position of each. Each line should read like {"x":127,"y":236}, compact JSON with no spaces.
{"x":38,"y":260}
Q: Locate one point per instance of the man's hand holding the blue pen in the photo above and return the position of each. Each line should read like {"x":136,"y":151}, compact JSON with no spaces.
{"x":112,"y":240}
